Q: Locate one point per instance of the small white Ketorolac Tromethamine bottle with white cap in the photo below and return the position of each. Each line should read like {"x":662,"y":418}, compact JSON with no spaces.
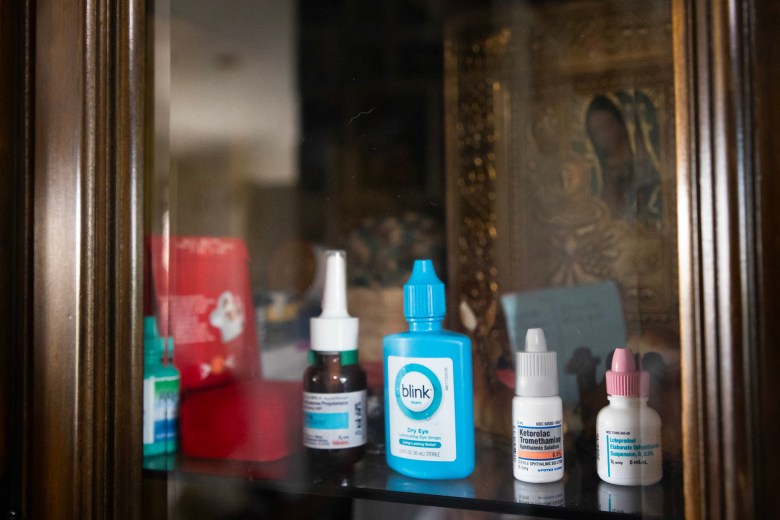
{"x":537,"y":413}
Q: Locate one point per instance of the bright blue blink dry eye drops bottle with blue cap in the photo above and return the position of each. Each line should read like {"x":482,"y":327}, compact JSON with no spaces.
{"x":429,"y":401}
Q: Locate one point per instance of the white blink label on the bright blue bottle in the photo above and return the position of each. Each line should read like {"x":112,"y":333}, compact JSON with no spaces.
{"x":422,"y":408}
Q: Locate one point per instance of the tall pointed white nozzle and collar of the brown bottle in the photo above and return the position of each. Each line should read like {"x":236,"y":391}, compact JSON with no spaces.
{"x":334,"y":330}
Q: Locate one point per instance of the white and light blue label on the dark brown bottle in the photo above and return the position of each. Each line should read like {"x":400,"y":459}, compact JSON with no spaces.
{"x":334,"y":421}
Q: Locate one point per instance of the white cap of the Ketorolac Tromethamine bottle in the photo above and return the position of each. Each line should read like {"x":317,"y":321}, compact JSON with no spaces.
{"x":536,"y":368}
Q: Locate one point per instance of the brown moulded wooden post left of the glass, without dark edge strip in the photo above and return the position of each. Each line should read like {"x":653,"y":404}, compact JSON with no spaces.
{"x":85,"y":405}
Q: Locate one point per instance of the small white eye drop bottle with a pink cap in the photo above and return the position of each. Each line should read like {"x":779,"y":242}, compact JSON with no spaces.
{"x":628,"y":432}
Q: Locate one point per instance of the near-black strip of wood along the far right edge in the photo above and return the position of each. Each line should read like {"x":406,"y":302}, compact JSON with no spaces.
{"x":765,"y":358}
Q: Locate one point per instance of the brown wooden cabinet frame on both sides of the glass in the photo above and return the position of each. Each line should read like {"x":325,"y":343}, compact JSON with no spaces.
{"x":75,"y":84}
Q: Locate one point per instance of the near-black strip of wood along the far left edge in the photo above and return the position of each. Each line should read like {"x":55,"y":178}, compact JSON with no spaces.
{"x":15,"y":274}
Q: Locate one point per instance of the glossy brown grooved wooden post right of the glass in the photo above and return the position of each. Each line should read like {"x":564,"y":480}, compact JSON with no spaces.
{"x":726,"y":115}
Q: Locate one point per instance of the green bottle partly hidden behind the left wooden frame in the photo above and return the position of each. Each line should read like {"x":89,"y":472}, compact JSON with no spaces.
{"x":161,"y":393}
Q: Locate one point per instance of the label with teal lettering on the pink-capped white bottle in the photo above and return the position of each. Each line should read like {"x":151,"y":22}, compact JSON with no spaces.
{"x":628,"y":454}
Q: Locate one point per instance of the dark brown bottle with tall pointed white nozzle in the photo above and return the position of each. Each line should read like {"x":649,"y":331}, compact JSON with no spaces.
{"x":334,"y":386}
